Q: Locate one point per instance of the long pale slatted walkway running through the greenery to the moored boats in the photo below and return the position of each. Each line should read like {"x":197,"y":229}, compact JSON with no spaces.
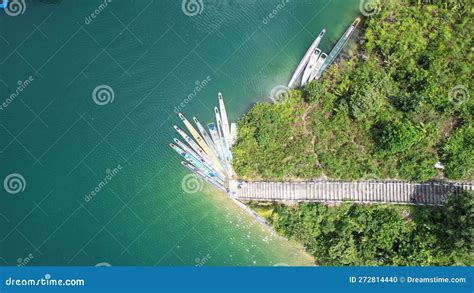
{"x":390,"y":192}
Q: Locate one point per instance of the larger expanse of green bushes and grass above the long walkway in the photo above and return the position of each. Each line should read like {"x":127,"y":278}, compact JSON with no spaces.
{"x":397,"y":102}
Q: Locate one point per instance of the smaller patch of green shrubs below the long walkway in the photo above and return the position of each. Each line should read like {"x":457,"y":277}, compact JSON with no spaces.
{"x":381,"y":235}
